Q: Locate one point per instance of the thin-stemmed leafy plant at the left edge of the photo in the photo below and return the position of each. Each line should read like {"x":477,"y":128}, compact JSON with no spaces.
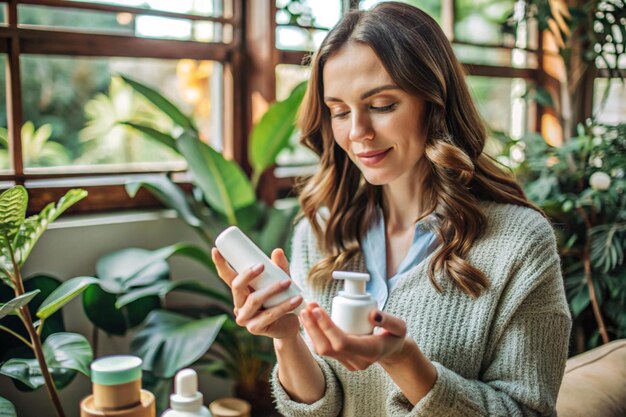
{"x":29,"y":322}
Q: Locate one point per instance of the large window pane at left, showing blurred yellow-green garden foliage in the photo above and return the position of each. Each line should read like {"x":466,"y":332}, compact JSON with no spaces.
{"x":73,"y":106}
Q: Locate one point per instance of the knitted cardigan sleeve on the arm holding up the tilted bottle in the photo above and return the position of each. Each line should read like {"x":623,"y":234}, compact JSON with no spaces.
{"x":331,"y":403}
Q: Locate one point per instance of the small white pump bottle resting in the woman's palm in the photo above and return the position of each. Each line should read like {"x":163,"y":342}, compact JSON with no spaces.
{"x":352,"y":306}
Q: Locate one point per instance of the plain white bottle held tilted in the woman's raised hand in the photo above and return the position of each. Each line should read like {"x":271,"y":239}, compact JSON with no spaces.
{"x":241,"y":253}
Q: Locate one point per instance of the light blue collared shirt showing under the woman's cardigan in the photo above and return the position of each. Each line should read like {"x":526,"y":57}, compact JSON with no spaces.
{"x":375,"y":254}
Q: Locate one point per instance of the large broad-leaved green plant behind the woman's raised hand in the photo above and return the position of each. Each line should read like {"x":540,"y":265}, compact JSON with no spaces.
{"x":133,"y":283}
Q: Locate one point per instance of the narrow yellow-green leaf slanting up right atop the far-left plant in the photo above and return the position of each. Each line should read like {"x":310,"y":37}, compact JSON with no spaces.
{"x":34,"y":226}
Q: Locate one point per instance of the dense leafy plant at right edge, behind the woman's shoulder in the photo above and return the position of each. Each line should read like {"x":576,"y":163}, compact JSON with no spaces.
{"x":581,"y":186}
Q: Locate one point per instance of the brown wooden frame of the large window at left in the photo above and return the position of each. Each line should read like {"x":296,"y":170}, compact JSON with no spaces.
{"x":110,"y":194}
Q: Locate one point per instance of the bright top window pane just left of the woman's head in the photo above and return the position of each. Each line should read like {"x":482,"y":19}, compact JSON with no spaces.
{"x":318,"y":16}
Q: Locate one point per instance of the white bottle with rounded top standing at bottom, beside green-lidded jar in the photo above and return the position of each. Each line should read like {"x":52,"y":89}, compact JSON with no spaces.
{"x":186,"y":400}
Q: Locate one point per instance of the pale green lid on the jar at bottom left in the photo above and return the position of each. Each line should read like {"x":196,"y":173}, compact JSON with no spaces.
{"x":116,"y":369}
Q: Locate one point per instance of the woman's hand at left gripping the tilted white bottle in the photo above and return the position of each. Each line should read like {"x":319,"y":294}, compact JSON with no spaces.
{"x":275,"y":322}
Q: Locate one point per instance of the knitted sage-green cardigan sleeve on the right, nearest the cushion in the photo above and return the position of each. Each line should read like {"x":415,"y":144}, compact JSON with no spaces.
{"x":525,"y":365}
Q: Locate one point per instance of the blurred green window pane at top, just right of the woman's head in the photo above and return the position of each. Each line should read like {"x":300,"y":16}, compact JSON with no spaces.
{"x":480,"y":21}
